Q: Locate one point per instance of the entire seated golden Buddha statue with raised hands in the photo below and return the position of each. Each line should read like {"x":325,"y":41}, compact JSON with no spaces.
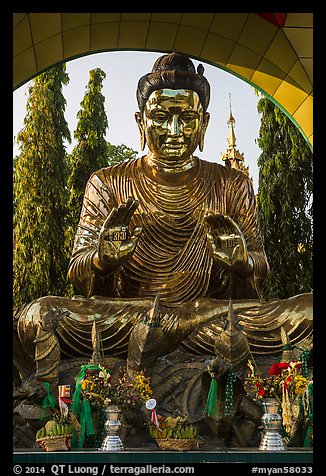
{"x":166,"y":224}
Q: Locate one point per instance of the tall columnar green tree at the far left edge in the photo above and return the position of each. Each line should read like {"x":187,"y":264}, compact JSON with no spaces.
{"x":40,"y":172}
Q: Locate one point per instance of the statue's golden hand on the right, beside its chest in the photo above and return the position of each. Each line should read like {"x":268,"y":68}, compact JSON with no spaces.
{"x":228,"y":244}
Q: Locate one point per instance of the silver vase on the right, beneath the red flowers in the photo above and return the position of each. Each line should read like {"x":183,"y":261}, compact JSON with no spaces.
{"x":271,"y":439}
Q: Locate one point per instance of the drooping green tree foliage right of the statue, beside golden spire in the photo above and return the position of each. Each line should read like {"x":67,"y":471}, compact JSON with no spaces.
{"x":285,"y":203}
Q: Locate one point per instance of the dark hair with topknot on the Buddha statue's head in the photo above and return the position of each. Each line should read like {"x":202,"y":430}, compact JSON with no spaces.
{"x":173,"y":71}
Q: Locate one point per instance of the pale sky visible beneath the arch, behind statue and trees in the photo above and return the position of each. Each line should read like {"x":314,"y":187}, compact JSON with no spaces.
{"x":123,"y":69}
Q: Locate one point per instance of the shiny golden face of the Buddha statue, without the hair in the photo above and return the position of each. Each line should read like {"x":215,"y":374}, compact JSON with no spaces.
{"x":173,"y":122}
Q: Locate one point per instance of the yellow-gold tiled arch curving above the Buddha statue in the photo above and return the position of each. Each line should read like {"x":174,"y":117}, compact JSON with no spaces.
{"x":272,"y":51}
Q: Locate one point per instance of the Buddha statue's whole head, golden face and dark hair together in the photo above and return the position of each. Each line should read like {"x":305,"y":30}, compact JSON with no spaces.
{"x":173,"y":117}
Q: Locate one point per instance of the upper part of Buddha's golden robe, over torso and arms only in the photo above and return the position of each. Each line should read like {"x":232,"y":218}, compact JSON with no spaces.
{"x":172,"y":255}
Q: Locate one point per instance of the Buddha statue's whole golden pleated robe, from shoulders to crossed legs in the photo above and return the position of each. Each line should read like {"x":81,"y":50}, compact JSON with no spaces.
{"x":172,"y":257}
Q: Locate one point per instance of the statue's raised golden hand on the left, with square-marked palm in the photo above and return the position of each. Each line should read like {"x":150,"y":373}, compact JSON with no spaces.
{"x":116,"y":243}
